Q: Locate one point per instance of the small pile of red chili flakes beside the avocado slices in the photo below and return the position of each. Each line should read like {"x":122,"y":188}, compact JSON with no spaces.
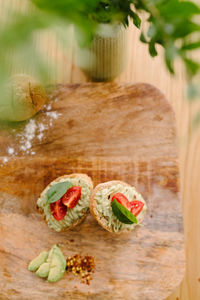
{"x":81,"y":265}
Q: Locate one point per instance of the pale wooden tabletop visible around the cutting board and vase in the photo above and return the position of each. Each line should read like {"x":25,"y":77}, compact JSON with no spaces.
{"x":142,"y":68}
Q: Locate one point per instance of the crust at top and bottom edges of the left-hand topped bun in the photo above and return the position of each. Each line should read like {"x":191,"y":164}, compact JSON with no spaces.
{"x":80,"y":220}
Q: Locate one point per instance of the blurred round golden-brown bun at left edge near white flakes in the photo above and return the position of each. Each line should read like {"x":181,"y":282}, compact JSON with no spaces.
{"x":24,"y":97}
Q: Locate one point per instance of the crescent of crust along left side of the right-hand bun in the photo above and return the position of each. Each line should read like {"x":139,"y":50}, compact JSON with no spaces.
{"x":101,"y":220}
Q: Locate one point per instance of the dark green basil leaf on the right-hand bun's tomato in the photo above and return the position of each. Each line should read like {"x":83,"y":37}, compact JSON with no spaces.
{"x":122,"y":213}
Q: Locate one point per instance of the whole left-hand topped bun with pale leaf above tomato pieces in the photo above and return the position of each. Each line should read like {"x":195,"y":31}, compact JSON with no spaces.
{"x":65,"y":201}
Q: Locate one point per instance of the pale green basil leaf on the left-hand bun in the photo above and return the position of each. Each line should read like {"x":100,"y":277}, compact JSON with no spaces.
{"x":57,"y":191}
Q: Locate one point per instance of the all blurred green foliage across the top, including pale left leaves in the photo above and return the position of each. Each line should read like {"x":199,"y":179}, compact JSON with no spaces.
{"x":173,"y":24}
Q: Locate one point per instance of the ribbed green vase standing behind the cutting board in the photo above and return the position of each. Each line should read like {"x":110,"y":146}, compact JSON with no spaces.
{"x":106,"y":57}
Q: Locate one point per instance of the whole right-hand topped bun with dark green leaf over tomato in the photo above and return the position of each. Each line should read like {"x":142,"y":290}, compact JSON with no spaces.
{"x":117,"y":206}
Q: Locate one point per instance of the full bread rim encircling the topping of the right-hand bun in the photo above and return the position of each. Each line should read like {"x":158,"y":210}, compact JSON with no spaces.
{"x":101,"y":219}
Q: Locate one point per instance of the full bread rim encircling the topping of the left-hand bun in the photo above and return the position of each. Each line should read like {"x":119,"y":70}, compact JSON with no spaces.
{"x":83,"y":177}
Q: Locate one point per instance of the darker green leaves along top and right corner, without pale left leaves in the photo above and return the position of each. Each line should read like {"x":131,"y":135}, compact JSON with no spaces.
{"x":171,"y":23}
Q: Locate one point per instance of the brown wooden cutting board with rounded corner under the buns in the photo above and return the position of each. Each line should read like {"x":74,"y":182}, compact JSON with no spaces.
{"x":108,"y":131}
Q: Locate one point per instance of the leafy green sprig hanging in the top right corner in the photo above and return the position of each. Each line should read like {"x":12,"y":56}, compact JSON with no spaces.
{"x":171,"y":24}
